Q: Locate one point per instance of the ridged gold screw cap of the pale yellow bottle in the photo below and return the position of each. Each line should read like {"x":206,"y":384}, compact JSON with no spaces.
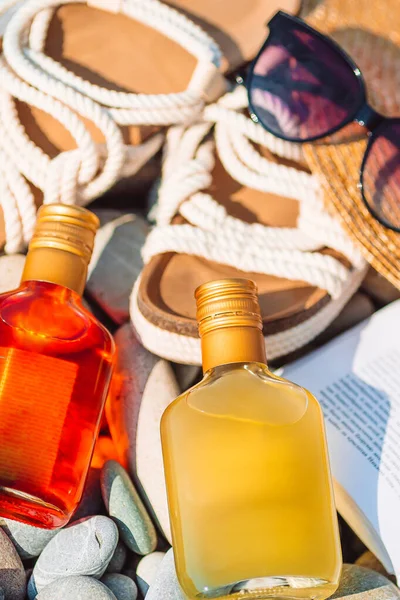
{"x":227,"y":303}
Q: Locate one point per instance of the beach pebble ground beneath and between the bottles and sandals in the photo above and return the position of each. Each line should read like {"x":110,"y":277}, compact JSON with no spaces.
{"x":117,"y":547}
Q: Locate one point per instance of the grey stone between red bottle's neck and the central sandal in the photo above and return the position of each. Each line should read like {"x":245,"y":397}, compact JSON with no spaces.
{"x":116,"y":261}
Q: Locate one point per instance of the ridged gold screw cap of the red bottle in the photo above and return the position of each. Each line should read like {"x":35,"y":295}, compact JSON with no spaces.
{"x":65,"y":227}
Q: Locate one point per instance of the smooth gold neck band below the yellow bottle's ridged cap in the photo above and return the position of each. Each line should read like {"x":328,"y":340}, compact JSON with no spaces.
{"x":232,"y":344}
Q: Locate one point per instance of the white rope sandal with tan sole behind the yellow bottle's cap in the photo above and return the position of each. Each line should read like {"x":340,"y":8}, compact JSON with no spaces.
{"x":244,"y":214}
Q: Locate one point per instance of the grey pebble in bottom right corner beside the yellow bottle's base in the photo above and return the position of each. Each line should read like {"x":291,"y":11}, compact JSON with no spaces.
{"x":365,"y":583}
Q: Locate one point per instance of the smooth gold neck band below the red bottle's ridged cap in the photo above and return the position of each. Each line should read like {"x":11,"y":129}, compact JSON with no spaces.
{"x":56,"y":266}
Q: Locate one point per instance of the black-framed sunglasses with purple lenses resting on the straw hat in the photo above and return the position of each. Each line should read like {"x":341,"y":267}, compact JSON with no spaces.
{"x":302,"y":87}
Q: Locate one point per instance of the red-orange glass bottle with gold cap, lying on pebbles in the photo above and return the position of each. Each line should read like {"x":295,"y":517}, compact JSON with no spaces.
{"x":55,"y":367}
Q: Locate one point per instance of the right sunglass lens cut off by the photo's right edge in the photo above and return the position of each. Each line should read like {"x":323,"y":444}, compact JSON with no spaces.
{"x":381,"y":175}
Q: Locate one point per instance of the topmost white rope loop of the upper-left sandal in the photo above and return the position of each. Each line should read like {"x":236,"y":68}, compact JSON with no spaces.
{"x":24,"y":41}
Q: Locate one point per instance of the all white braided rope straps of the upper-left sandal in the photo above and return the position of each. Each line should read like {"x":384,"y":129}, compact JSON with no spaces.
{"x":30,"y":76}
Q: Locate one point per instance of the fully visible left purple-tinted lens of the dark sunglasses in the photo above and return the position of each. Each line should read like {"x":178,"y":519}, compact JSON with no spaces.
{"x":301,"y":87}
